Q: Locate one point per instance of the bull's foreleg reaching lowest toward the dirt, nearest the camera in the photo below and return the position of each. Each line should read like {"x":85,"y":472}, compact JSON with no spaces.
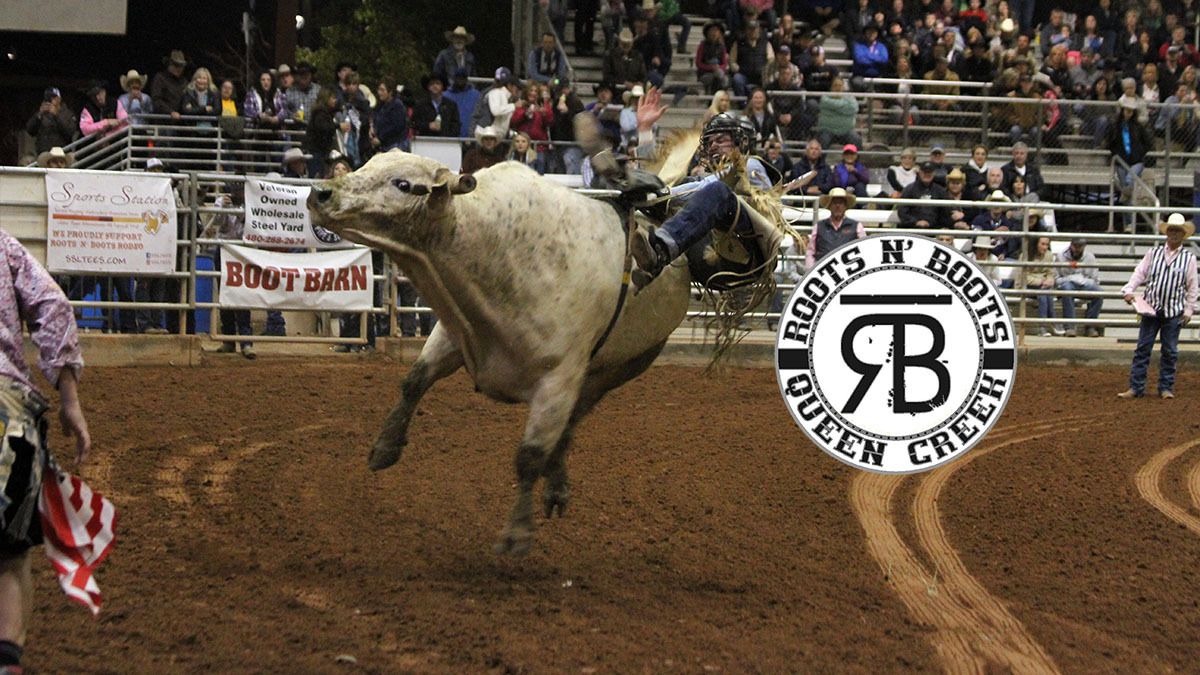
{"x":550,"y":413}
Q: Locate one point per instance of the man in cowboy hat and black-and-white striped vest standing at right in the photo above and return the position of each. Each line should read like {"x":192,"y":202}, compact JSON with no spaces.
{"x":1171,"y":276}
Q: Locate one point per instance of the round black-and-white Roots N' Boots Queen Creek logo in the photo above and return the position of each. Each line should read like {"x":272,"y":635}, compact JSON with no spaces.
{"x":896,"y":354}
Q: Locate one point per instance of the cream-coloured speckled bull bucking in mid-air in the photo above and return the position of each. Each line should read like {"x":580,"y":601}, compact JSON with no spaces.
{"x":525,"y":277}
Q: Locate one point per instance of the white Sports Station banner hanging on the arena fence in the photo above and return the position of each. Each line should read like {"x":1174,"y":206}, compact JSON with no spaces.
{"x":111,"y":224}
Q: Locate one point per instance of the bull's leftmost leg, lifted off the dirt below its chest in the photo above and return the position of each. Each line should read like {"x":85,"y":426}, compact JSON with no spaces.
{"x":440,"y":359}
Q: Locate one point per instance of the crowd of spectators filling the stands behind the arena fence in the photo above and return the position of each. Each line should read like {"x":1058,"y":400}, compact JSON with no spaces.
{"x":767,"y":67}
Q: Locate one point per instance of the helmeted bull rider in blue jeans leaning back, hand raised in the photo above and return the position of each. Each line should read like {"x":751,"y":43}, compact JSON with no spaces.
{"x":706,"y":204}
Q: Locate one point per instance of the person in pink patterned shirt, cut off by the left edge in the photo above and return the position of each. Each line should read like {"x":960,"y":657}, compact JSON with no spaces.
{"x":29,"y":295}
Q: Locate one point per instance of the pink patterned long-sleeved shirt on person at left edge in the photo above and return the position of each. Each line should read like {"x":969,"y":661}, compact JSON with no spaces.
{"x":29,"y":295}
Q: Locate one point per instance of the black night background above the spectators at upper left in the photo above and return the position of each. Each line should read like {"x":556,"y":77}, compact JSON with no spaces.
{"x":211,"y":35}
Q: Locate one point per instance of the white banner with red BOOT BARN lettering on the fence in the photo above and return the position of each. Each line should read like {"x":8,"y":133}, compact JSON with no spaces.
{"x":323,"y":280}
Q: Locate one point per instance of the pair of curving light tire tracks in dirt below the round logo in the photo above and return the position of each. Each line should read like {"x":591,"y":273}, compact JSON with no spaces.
{"x":975,"y":632}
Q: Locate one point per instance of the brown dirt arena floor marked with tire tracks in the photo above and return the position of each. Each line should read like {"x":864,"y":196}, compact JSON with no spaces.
{"x":706,"y":534}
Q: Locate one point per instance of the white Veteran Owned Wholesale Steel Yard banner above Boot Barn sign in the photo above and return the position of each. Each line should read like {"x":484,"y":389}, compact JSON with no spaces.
{"x":278,"y":216}
